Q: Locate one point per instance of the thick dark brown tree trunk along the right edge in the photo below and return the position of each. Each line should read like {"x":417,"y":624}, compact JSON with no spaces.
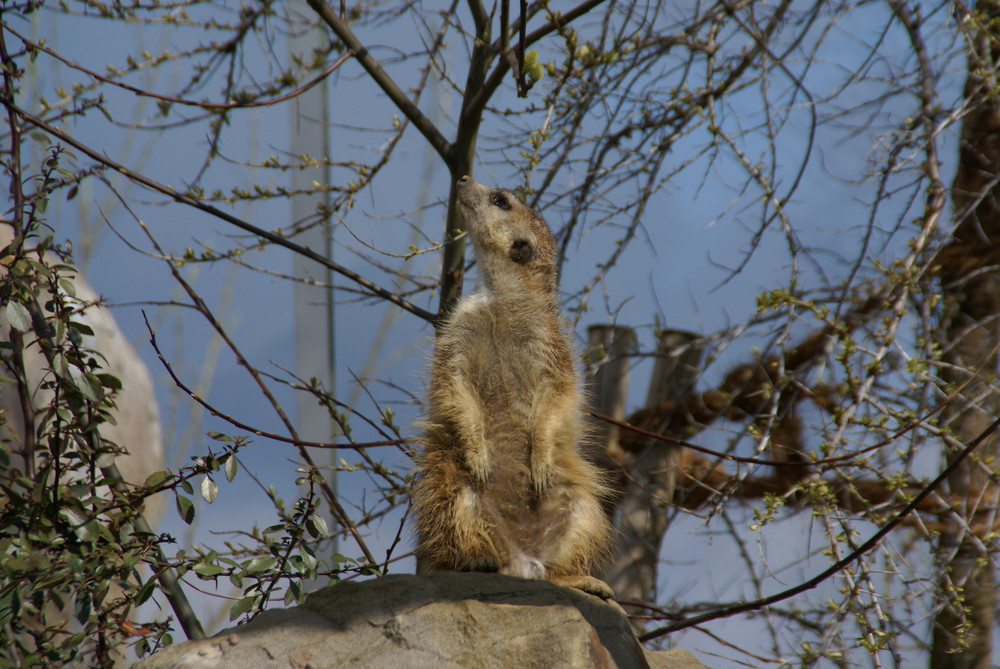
{"x":963,"y":628}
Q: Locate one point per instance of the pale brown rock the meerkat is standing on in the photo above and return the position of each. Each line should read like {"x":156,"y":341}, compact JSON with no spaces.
{"x":441,"y":621}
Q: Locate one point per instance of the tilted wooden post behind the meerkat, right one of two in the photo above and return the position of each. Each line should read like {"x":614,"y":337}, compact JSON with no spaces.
{"x":651,"y":477}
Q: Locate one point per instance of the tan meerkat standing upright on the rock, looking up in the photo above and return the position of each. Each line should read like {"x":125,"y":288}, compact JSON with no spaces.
{"x":500,"y":483}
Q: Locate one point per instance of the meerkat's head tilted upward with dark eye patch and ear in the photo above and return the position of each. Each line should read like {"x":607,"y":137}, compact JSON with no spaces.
{"x":514,"y":246}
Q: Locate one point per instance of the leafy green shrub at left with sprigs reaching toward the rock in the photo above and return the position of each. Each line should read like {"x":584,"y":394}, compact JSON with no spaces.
{"x":73,"y":567}
